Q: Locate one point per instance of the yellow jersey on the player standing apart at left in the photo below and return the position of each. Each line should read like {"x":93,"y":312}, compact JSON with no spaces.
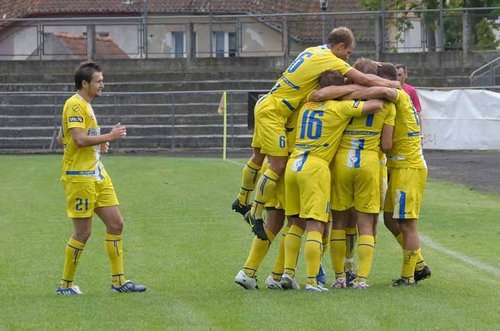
{"x":80,"y":164}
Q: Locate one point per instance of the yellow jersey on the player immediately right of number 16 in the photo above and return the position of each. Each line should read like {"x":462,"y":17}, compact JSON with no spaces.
{"x":363,"y":133}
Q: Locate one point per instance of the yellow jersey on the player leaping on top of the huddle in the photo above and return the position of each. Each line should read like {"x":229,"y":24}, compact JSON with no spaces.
{"x":301,"y":77}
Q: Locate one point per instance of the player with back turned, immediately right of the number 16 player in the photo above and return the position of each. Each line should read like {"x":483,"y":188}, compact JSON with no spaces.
{"x":355,"y":182}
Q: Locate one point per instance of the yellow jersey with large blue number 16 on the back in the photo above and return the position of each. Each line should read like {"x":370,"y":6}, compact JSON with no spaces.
{"x":320,"y":126}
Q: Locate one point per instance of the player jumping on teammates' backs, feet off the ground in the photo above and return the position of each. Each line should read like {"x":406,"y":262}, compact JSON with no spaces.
{"x":273,"y":110}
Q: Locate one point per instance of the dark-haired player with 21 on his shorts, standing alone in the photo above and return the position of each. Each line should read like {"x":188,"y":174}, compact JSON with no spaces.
{"x":87,"y":185}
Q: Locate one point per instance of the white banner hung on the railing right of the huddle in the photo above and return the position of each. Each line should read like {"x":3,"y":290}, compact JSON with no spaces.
{"x":460,"y":119}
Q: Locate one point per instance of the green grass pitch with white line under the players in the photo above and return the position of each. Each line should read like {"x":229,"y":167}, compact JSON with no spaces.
{"x":183,"y":241}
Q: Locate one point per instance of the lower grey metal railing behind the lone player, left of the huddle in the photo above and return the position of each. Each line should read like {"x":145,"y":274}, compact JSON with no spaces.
{"x":30,"y":121}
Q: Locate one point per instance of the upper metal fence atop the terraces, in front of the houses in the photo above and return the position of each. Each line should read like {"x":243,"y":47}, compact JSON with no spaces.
{"x":151,"y":36}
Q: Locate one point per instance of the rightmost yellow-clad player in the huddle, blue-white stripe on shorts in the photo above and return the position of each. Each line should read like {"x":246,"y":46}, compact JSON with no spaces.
{"x":407,"y":178}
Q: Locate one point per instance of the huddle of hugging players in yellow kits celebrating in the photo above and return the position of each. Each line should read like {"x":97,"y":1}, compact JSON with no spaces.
{"x":326,"y":136}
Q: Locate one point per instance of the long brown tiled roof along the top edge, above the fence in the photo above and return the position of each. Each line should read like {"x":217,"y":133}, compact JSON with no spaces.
{"x":310,"y":29}
